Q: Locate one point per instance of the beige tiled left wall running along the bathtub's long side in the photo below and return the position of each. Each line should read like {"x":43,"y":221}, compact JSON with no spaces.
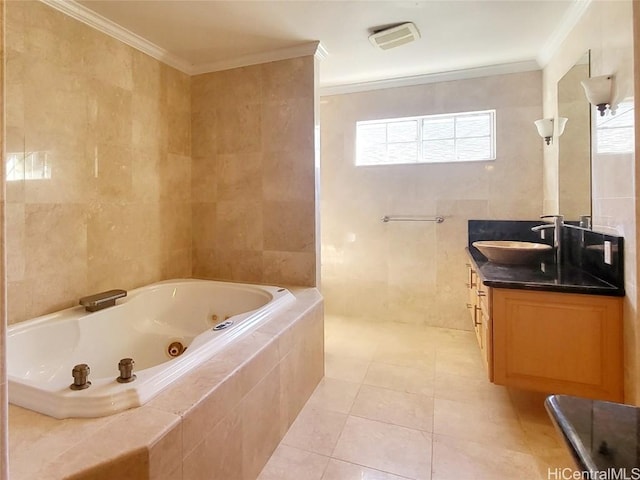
{"x":114,"y":127}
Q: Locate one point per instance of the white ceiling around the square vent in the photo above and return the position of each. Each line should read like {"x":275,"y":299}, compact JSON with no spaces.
{"x":456,"y":35}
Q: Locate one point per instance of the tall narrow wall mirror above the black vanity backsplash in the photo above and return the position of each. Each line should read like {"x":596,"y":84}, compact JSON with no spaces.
{"x":574,"y":146}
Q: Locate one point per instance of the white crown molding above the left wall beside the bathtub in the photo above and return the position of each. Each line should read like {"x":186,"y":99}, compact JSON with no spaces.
{"x":104,"y":25}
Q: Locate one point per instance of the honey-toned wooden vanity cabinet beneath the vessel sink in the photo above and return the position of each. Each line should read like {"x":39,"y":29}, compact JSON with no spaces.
{"x":549,"y":341}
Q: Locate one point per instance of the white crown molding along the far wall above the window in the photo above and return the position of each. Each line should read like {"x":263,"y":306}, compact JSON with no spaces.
{"x":502,"y":69}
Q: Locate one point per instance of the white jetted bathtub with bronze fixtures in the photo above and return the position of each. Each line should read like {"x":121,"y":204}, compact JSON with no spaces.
{"x":152,"y":325}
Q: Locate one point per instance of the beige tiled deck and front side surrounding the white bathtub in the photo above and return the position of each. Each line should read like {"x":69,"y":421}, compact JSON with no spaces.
{"x":212,"y":423}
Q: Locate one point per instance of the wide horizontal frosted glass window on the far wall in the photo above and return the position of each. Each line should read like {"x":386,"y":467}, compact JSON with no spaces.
{"x":457,"y":137}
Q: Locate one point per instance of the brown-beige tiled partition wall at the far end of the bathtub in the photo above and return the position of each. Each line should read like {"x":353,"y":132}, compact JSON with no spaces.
{"x":253,"y":173}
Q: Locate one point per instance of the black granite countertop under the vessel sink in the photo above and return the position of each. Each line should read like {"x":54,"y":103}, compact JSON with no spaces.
{"x":534,"y":277}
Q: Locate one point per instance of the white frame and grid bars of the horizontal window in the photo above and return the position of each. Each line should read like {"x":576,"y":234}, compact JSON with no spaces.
{"x":420,"y":140}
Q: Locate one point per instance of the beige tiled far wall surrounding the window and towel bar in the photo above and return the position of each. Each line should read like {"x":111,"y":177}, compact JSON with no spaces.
{"x":414,"y":271}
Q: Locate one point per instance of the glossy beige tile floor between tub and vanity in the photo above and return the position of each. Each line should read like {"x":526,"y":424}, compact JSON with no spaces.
{"x":407,"y":402}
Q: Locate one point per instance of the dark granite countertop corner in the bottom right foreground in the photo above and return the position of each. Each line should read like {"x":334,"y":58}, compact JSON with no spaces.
{"x":601,"y":436}
